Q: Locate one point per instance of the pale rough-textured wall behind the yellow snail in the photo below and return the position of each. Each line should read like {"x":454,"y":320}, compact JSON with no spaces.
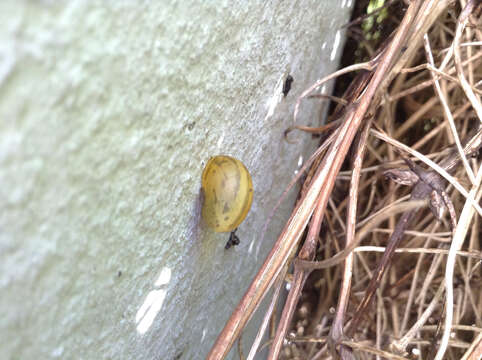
{"x":108,"y":111}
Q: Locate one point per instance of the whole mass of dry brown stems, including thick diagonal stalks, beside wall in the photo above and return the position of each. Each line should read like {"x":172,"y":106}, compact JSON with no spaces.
{"x":335,"y":245}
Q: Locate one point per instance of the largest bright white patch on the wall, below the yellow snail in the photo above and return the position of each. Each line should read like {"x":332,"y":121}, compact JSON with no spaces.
{"x":153,"y":302}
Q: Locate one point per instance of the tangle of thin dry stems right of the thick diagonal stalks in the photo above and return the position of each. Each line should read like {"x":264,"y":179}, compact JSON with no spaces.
{"x":428,"y":109}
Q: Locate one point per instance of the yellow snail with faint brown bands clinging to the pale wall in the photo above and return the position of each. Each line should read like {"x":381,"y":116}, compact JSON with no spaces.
{"x":228,"y":193}
